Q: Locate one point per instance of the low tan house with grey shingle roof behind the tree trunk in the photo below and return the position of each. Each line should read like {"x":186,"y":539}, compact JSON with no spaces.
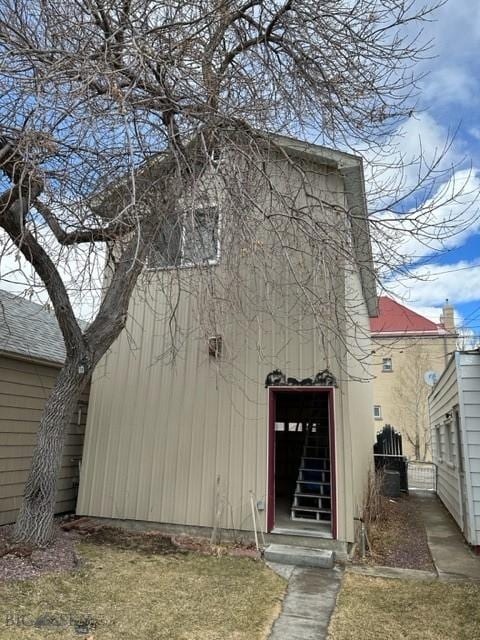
{"x":31,"y":354}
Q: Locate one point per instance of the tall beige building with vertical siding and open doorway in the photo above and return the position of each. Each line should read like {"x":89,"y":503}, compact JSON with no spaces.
{"x":185,"y":437}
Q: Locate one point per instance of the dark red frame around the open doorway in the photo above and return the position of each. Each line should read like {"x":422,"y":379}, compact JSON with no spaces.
{"x":272,"y":395}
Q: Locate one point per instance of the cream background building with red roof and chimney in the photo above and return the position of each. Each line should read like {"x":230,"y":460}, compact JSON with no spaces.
{"x":409,"y":354}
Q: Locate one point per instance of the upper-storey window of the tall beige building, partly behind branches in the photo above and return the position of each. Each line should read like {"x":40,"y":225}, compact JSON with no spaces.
{"x":188,"y":239}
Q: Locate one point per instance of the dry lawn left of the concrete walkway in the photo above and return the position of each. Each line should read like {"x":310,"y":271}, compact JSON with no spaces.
{"x":131,"y":595}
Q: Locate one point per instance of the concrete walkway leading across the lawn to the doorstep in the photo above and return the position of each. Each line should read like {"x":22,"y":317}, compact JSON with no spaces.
{"x":309,"y":603}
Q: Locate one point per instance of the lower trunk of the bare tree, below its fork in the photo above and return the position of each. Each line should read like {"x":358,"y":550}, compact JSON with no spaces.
{"x":34,"y":524}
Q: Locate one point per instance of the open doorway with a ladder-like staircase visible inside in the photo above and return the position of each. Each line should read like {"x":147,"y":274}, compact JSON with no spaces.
{"x":301,"y":478}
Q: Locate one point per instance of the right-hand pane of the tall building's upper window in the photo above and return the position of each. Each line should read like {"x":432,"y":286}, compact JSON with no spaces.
{"x":200,"y":235}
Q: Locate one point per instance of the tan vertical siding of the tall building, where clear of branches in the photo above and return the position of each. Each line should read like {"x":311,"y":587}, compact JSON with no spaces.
{"x":163,"y":441}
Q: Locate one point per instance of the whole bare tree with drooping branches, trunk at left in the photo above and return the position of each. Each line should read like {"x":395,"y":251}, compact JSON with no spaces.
{"x":112,"y":113}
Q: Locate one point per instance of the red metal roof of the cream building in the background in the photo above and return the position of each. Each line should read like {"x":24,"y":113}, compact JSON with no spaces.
{"x":393,"y":317}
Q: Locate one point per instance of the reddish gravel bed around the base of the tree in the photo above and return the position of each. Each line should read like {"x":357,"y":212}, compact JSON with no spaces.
{"x":24,"y":563}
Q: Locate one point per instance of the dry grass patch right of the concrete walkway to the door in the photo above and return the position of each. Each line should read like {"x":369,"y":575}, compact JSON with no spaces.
{"x":377,"y":608}
